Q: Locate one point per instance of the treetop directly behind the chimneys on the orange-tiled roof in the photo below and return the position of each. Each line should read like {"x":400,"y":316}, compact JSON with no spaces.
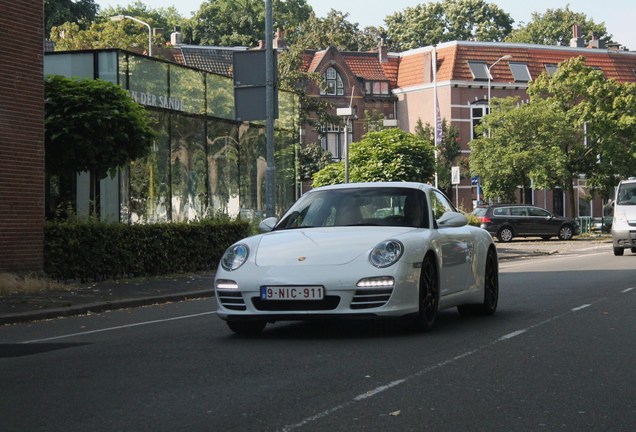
{"x":554,"y":27}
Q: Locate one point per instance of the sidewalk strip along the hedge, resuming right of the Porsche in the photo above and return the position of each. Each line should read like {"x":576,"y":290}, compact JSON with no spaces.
{"x":110,"y":295}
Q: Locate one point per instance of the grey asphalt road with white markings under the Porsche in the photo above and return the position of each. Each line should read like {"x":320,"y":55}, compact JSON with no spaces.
{"x":558,"y":355}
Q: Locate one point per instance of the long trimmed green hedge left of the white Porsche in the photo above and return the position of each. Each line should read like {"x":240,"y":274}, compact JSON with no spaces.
{"x":98,"y":251}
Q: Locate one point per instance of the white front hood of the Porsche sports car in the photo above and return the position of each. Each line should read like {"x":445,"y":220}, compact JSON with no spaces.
{"x":320,"y":246}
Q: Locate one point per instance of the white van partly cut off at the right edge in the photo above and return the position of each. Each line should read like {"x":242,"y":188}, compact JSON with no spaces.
{"x":624,"y":222}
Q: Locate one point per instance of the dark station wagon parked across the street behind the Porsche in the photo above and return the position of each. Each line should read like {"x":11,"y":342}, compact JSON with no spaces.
{"x":506,"y":221}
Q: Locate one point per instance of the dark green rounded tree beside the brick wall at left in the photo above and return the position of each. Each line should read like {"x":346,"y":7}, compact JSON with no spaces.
{"x":93,"y":126}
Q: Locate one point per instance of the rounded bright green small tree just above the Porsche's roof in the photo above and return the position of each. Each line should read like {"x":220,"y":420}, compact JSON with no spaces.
{"x":386,"y":155}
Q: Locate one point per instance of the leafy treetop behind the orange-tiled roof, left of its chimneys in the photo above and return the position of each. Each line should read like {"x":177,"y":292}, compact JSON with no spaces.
{"x":449,"y":20}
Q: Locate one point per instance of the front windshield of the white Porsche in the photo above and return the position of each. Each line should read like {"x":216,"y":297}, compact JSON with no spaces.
{"x":358,"y":206}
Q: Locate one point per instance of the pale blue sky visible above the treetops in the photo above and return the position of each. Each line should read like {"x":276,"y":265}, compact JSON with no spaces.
{"x":618,"y":15}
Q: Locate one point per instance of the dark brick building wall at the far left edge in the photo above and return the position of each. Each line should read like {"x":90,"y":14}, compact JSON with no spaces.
{"x":22,"y":137}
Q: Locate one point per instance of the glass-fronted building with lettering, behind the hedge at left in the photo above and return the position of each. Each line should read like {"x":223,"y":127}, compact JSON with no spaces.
{"x":203,"y":161}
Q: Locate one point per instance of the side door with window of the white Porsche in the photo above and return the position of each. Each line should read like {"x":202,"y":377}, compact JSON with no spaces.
{"x":456,"y":248}
